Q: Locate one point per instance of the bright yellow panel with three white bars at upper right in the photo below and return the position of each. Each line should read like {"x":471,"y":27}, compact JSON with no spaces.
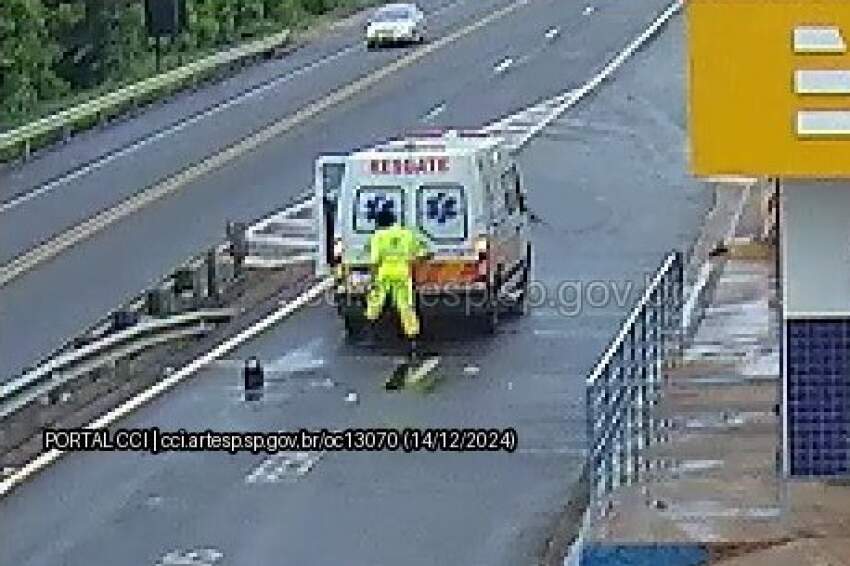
{"x":769,"y":87}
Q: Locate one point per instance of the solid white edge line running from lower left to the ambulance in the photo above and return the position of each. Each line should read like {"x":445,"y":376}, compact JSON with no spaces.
{"x":46,"y":458}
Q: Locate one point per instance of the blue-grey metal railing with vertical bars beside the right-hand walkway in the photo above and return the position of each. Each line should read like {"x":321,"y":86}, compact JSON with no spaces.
{"x":626,"y":383}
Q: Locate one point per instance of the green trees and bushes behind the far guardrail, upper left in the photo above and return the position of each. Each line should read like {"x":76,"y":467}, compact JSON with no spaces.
{"x":54,"y":53}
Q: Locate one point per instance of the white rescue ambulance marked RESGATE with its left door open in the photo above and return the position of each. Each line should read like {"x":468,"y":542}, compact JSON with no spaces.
{"x":462,"y":190}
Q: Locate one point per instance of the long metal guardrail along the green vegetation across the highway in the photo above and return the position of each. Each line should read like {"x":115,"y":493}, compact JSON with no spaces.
{"x":22,"y":140}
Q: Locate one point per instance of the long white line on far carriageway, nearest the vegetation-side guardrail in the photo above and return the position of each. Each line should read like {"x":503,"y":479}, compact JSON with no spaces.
{"x":174,"y":128}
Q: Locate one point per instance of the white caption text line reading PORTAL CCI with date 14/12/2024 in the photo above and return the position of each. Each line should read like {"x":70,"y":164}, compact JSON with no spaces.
{"x":156,"y":441}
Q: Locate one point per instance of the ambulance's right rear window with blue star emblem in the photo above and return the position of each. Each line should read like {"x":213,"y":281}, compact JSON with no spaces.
{"x":441,"y":211}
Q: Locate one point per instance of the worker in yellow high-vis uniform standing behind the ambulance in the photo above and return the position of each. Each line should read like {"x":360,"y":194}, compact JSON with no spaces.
{"x":393,"y":249}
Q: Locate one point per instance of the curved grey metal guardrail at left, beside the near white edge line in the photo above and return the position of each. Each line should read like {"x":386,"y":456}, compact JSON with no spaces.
{"x":12,"y":397}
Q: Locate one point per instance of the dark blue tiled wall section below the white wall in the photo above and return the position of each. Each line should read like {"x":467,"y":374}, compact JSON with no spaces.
{"x":818,"y":381}
